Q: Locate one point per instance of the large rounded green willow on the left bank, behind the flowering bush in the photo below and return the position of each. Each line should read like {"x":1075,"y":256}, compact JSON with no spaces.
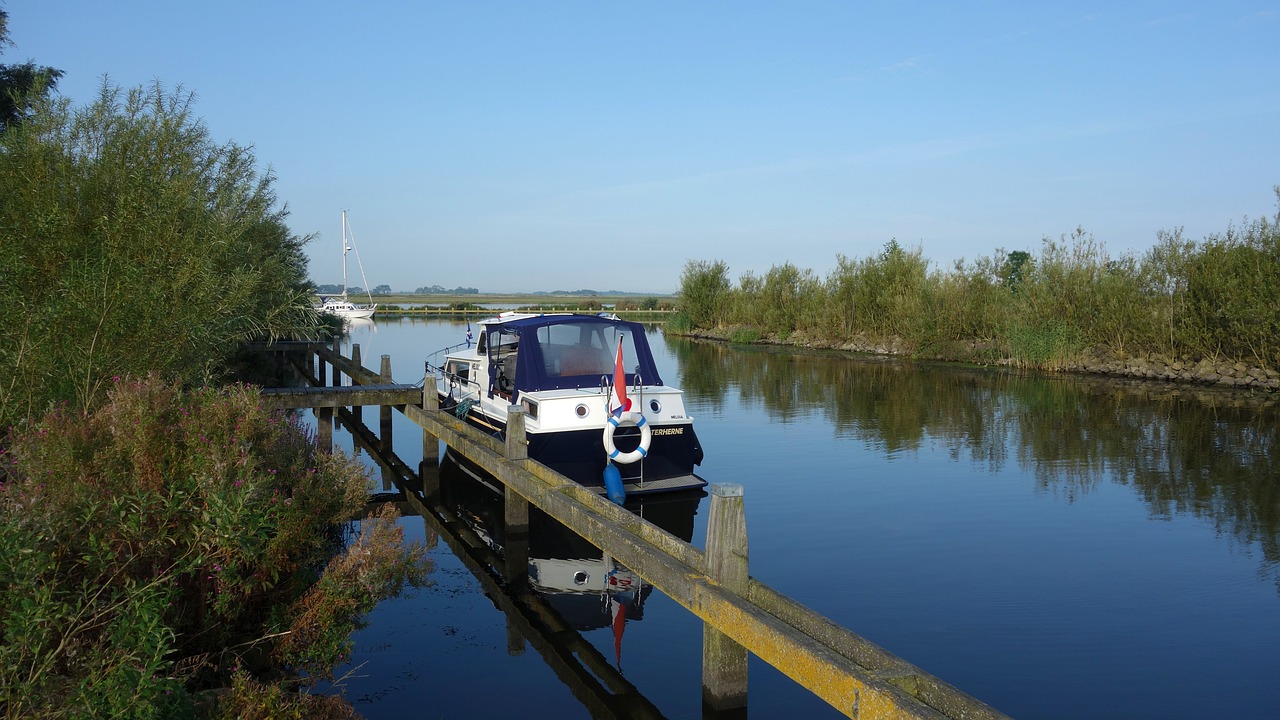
{"x":135,"y":244}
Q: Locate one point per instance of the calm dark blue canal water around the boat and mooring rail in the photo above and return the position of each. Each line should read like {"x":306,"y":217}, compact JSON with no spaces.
{"x":1055,"y":548}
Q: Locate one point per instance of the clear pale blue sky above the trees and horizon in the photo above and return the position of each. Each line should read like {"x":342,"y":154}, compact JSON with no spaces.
{"x":524,"y":147}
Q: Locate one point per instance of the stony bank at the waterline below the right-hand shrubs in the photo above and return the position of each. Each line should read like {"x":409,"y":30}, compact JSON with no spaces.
{"x":1223,"y":373}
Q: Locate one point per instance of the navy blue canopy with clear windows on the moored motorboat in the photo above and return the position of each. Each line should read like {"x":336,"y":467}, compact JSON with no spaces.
{"x":566,"y":352}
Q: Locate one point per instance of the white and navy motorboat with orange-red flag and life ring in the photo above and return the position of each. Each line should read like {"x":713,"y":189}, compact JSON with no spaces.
{"x":595,"y":407}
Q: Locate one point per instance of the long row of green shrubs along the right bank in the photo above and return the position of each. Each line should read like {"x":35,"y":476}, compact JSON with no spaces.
{"x":1218,"y":298}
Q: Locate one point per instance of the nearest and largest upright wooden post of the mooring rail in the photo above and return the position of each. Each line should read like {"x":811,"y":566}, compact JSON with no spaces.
{"x":725,"y":660}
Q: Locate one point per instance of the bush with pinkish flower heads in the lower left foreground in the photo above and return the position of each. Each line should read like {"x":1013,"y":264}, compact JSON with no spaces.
{"x":149,"y":541}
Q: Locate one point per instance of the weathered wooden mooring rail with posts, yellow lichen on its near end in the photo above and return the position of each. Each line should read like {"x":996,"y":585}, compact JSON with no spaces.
{"x":740,"y":614}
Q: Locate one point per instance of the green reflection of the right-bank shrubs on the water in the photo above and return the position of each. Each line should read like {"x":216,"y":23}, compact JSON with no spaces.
{"x":1204,"y":453}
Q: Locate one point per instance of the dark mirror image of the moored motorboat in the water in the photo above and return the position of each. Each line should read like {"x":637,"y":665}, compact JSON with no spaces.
{"x":588,"y":589}
